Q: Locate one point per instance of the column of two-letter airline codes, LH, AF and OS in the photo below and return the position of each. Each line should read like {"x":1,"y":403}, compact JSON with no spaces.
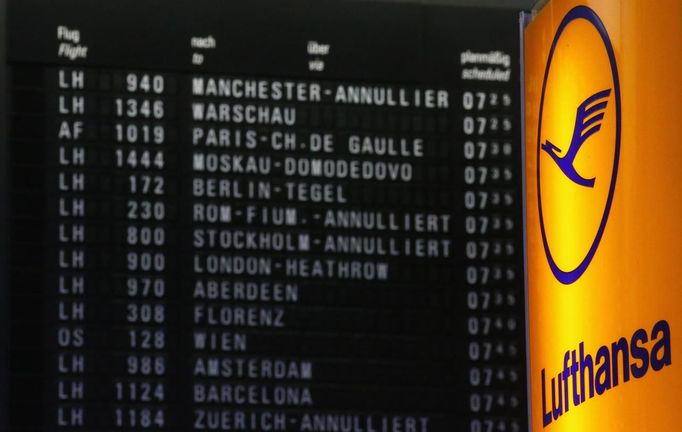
{"x":72,"y":283}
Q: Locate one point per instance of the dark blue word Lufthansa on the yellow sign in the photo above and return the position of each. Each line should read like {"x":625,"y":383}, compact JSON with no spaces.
{"x":610,"y":366}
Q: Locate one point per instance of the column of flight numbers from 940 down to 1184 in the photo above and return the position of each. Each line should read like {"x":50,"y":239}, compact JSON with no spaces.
{"x":142,"y":214}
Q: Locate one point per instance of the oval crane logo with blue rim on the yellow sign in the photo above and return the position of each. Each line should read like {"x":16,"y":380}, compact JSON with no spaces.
{"x":578,"y":143}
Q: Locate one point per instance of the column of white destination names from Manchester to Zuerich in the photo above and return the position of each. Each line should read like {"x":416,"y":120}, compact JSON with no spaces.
{"x":321,"y":254}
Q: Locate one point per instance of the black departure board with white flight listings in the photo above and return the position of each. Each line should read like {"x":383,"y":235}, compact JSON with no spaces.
{"x":262,"y":216}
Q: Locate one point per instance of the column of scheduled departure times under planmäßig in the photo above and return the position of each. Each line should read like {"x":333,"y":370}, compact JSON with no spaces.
{"x":493,"y":268}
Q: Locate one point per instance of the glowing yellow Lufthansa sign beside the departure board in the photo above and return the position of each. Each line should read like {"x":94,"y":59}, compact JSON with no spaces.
{"x":604,"y":215}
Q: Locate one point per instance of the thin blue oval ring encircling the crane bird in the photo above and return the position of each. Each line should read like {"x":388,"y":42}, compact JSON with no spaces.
{"x":581,"y":12}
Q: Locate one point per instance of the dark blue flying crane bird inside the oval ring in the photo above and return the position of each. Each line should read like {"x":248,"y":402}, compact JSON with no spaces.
{"x":588,"y":118}
